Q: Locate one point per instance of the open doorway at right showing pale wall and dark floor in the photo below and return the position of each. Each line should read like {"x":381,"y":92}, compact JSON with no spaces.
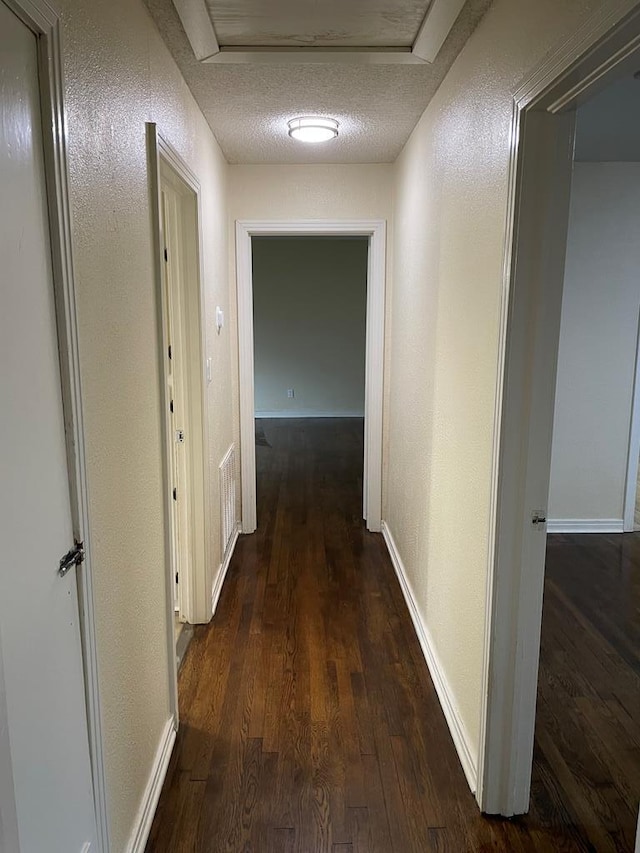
{"x":587,"y":730}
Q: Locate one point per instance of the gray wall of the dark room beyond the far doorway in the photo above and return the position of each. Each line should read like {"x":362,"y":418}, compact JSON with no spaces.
{"x":309,"y":308}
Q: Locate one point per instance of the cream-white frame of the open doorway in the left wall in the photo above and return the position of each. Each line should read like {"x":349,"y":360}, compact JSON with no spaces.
{"x":195,"y":601}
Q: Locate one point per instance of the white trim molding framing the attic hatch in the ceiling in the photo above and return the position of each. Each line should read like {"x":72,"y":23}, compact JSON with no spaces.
{"x":439,"y":18}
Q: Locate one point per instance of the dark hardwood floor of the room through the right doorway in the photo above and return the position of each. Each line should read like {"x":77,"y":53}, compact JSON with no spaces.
{"x":587,"y":752}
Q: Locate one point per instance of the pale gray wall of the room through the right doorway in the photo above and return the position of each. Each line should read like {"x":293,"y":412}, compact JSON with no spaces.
{"x":598,"y":336}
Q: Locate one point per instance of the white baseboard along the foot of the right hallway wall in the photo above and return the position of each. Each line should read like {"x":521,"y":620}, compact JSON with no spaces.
{"x":438,"y":676}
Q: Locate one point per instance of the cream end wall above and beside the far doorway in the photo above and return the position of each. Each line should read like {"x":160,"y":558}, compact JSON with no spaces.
{"x":306,"y":192}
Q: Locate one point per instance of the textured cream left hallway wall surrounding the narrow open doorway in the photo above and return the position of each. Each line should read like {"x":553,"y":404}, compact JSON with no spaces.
{"x":119,"y":75}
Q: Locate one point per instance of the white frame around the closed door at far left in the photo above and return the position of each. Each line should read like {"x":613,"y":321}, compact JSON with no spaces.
{"x":44,"y":22}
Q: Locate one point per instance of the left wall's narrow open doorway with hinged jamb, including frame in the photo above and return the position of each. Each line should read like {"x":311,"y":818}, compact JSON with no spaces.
{"x":181,"y":311}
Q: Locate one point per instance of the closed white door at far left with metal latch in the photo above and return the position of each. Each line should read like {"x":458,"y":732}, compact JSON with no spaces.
{"x":39,"y":630}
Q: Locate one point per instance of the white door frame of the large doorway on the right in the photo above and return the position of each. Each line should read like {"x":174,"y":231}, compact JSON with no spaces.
{"x":539,"y":190}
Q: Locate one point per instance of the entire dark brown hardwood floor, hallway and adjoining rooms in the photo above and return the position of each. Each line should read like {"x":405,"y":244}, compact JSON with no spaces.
{"x":308,"y":719}
